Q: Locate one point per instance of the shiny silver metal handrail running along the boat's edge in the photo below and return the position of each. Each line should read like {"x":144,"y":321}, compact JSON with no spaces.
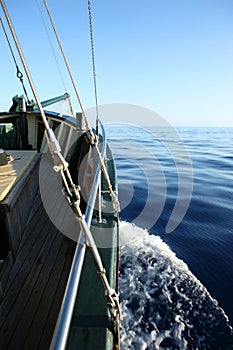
{"x":62,"y":328}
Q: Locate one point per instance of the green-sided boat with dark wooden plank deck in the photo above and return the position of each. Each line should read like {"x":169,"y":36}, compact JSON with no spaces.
{"x":37,"y":252}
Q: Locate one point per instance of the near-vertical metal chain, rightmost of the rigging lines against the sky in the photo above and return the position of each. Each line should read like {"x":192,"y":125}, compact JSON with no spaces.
{"x":93,"y":64}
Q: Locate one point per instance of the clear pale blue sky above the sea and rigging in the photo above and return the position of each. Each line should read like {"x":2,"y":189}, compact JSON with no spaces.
{"x":173,"y":57}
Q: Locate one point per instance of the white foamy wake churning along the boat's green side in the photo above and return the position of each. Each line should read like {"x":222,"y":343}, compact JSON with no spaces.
{"x":164,"y":305}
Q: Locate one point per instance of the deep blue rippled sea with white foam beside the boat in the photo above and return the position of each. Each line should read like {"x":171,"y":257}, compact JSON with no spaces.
{"x":176,"y":272}
